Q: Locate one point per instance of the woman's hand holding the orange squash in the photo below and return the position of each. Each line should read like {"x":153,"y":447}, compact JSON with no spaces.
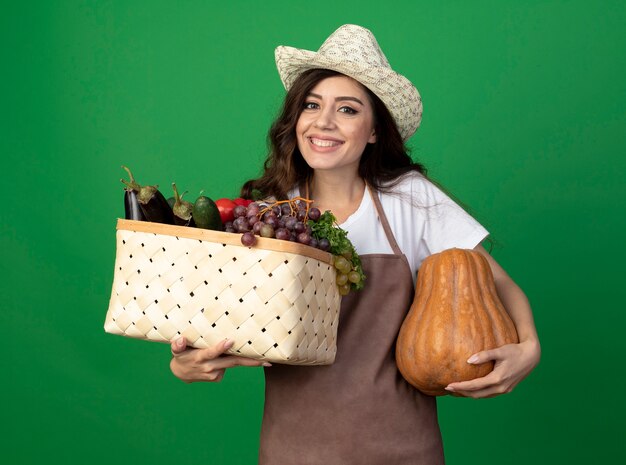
{"x":513,"y":362}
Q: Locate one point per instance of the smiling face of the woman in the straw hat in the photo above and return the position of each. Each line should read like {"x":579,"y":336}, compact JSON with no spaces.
{"x":336,"y":124}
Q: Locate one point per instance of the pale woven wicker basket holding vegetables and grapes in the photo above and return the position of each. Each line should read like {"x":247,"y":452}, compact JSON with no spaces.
{"x":277,"y":301}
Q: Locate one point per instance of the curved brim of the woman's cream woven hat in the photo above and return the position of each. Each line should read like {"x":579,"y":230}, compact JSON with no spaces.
{"x":397,"y":93}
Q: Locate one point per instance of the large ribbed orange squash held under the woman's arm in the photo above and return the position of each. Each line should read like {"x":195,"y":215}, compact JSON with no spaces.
{"x":456,"y":312}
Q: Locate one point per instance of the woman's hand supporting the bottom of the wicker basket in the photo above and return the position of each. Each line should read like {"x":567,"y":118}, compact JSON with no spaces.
{"x":191,"y":365}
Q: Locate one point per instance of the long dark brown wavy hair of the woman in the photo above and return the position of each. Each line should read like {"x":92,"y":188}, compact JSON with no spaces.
{"x":381,"y":164}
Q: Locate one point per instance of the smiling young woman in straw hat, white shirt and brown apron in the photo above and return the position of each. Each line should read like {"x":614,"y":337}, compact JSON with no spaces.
{"x":340,"y":141}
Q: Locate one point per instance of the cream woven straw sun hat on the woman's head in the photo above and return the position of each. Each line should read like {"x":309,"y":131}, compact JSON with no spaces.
{"x":352,"y":50}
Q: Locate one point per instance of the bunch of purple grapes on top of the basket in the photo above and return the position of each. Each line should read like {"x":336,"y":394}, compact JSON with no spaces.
{"x":286,"y":220}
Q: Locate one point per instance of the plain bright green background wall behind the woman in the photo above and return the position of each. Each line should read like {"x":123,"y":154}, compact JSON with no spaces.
{"x":524,"y":121}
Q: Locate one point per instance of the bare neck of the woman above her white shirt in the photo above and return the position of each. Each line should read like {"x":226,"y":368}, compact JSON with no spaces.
{"x":340,"y":194}
